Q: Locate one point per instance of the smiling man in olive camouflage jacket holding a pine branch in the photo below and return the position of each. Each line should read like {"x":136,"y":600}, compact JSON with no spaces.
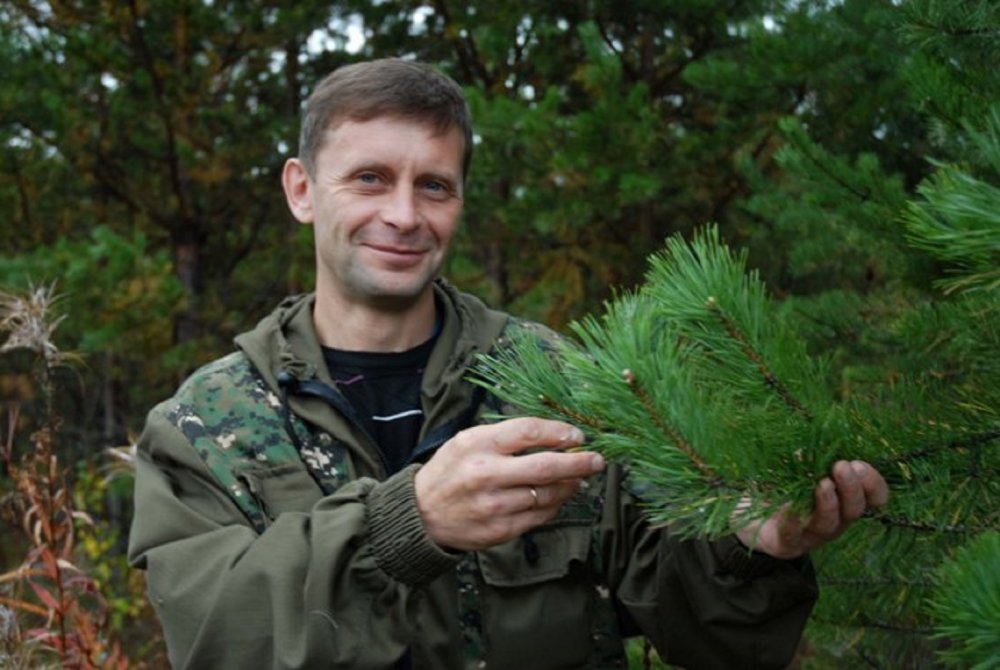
{"x":327,"y":496}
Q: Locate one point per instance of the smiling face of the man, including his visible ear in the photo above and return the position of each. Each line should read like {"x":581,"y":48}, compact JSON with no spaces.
{"x":385,"y":201}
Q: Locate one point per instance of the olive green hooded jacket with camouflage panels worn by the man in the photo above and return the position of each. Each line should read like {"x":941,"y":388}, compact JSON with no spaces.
{"x":273,"y":539}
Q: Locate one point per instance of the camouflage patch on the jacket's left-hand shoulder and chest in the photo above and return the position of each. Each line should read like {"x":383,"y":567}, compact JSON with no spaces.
{"x":235,"y":423}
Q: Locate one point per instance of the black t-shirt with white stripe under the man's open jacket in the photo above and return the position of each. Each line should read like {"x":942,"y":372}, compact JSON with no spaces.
{"x":384,"y":389}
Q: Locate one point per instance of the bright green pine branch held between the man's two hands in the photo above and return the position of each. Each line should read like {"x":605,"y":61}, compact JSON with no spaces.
{"x":700,"y":385}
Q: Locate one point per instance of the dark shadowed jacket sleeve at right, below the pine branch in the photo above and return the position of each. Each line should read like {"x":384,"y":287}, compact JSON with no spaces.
{"x":703,"y":604}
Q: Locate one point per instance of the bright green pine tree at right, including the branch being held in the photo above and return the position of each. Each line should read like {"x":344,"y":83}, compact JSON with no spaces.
{"x":713,"y":392}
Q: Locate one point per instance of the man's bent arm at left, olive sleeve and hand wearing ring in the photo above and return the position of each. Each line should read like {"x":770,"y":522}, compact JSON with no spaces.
{"x":332,"y":586}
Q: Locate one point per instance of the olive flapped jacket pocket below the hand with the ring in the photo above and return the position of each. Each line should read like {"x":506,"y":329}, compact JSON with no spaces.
{"x":536,"y":599}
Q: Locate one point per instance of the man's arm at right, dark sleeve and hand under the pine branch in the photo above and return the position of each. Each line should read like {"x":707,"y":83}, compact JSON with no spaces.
{"x":717,"y":604}
